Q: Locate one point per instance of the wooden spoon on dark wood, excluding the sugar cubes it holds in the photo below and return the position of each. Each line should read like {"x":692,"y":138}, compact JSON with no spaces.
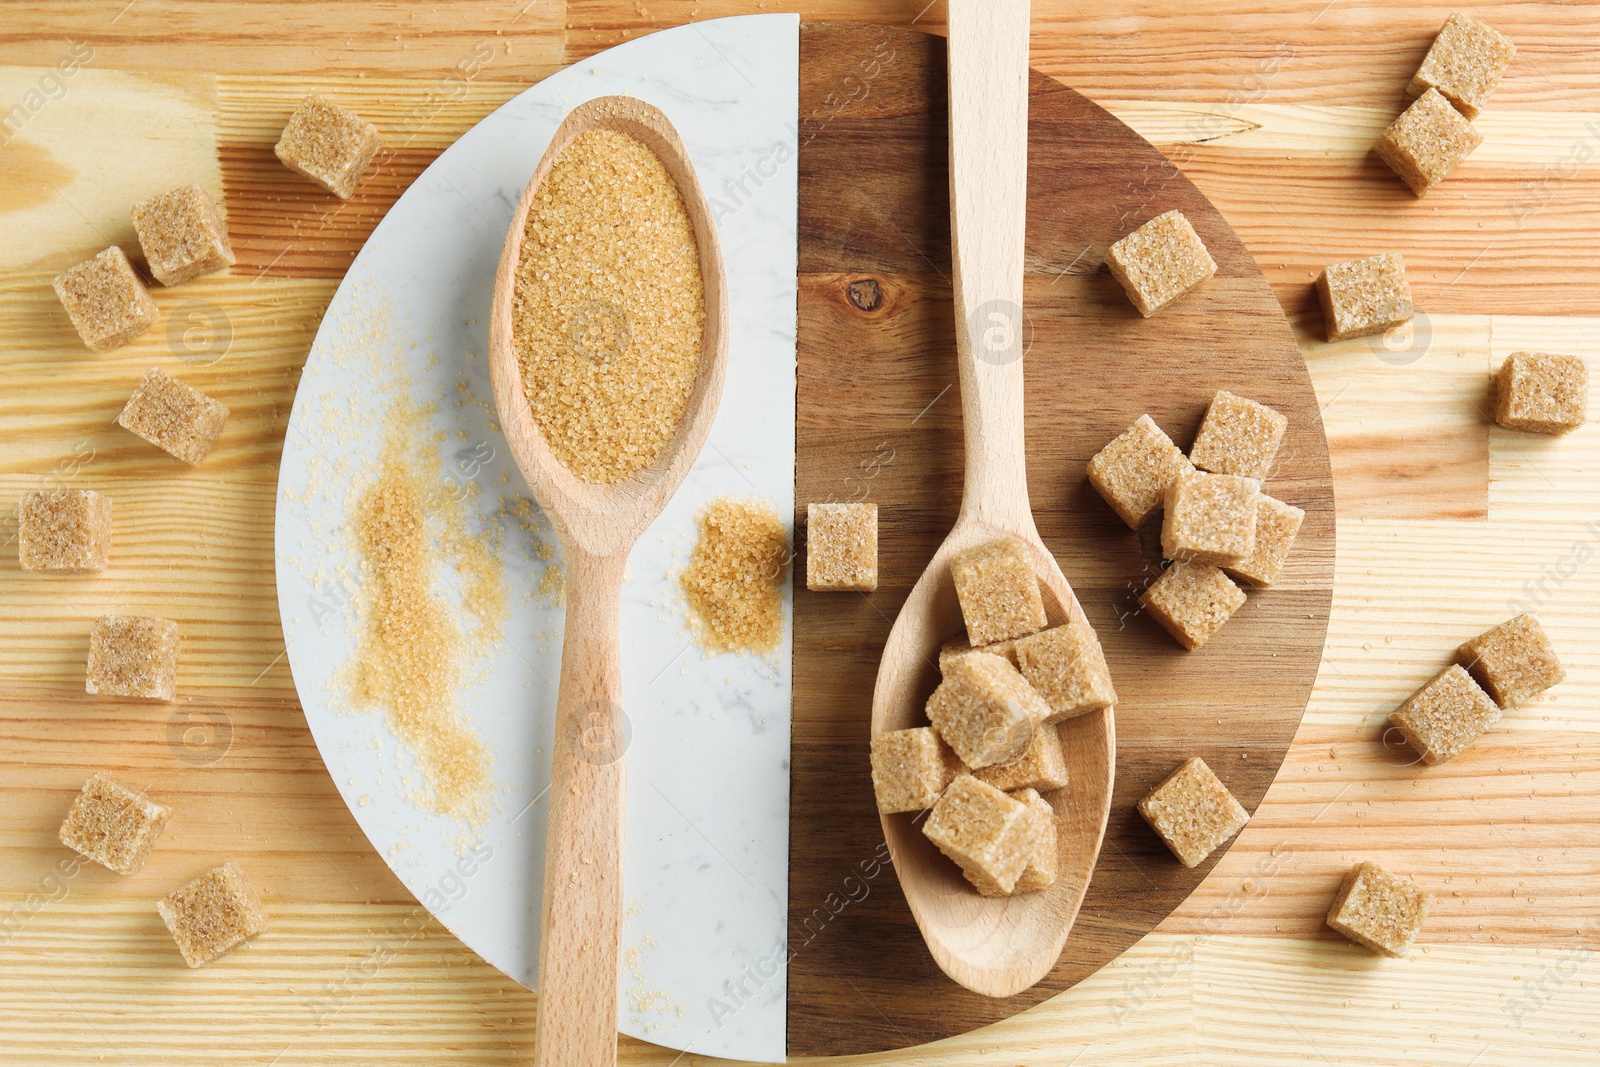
{"x":993,"y":946}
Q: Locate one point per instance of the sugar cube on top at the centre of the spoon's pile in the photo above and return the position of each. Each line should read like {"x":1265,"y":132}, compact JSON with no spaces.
{"x":986,"y":711}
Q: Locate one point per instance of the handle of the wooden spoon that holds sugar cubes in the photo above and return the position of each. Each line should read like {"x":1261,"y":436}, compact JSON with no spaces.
{"x":988,"y":55}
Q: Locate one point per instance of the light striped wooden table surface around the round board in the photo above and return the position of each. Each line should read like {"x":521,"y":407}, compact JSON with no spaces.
{"x":1446,"y":527}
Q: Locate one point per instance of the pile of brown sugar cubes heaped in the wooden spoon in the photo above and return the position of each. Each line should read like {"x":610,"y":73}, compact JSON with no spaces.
{"x":991,"y":754}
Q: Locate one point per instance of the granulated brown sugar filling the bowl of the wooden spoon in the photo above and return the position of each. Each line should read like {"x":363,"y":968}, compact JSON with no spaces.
{"x":610,"y":308}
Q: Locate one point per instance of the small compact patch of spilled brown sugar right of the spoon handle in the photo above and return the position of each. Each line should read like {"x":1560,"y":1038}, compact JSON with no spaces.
{"x":734,"y":583}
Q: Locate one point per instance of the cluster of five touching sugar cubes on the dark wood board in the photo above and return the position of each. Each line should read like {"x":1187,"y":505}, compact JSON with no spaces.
{"x":1217,"y":522}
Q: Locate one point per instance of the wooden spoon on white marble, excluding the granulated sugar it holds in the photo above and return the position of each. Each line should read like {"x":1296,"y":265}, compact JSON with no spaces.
{"x":598,"y":524}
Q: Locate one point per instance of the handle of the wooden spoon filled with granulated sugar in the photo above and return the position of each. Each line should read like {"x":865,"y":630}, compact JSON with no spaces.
{"x":583,"y":858}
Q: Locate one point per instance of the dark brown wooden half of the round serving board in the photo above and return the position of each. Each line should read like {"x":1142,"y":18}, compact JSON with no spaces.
{"x":879,"y":420}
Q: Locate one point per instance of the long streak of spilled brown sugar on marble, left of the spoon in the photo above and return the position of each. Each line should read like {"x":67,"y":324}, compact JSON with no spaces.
{"x":412,"y":644}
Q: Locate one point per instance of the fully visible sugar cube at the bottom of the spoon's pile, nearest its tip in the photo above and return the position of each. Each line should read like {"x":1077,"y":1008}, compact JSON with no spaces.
{"x":988,"y":834}
